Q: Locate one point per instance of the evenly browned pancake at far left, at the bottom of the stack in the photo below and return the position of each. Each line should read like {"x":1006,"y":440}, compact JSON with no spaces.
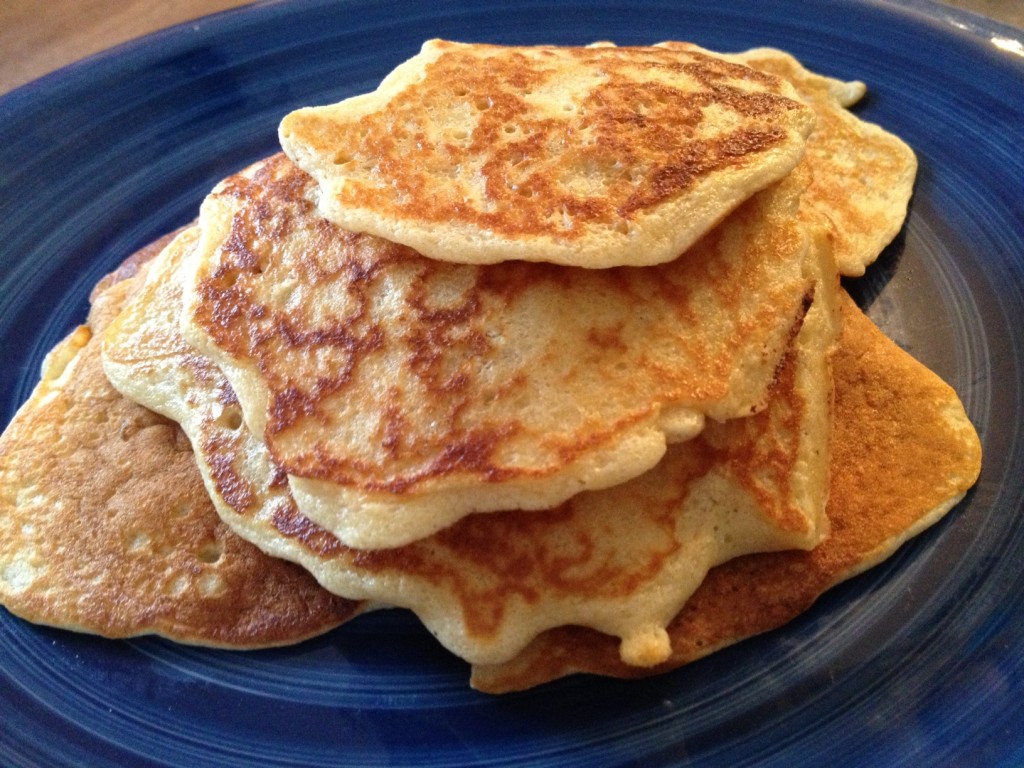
{"x":106,"y":527}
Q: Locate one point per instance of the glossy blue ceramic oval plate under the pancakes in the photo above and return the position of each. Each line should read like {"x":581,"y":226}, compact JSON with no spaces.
{"x":916,"y":663}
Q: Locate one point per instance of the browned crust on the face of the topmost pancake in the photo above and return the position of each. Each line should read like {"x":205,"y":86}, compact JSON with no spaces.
{"x":641,"y":137}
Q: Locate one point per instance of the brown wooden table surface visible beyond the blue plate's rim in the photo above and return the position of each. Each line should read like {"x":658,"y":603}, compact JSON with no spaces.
{"x":39,"y":36}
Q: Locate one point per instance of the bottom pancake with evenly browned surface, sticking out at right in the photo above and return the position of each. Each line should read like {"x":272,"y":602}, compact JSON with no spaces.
{"x":904,"y":454}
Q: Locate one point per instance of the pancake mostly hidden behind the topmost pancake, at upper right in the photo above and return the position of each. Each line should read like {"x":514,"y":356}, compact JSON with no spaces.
{"x":863,"y":176}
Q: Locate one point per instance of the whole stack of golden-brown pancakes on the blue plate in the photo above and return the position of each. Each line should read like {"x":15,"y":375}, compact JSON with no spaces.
{"x":547,"y":346}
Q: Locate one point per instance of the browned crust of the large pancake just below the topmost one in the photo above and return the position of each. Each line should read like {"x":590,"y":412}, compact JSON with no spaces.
{"x":445,"y":350}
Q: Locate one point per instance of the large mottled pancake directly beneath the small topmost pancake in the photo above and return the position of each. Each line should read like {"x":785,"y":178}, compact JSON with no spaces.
{"x":401,"y":394}
